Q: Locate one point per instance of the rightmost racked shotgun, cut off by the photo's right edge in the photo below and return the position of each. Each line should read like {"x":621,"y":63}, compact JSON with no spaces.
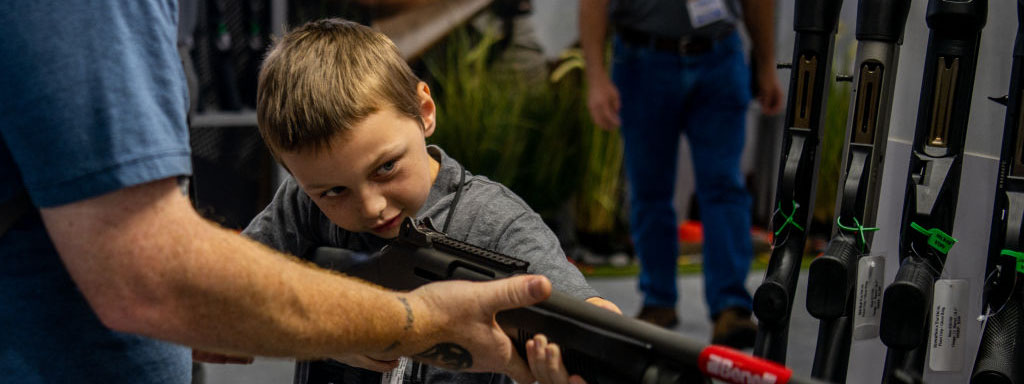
{"x":1000,"y":357}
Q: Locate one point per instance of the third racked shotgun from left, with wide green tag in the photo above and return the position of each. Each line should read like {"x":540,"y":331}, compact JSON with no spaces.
{"x":933,"y":181}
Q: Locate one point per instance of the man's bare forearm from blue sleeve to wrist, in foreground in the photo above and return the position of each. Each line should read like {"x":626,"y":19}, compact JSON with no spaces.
{"x":151,"y":266}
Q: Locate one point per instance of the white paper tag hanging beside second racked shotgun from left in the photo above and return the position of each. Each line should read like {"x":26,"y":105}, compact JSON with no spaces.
{"x":871,"y":286}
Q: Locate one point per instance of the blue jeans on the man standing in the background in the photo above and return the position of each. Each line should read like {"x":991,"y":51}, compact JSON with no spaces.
{"x":704,"y":97}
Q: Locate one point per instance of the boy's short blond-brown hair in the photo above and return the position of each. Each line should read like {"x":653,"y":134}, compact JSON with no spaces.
{"x":326,"y":77}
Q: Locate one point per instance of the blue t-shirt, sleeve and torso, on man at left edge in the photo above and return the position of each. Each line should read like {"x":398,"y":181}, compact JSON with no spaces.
{"x":93,"y":99}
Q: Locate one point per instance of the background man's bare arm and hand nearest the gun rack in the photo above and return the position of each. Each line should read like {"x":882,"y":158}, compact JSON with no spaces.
{"x":759,"y":17}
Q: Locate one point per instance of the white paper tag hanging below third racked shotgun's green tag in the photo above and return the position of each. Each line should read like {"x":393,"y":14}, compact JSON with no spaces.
{"x":950,"y":307}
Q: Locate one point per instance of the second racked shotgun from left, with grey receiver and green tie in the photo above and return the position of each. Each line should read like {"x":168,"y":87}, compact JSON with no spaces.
{"x":832,"y":277}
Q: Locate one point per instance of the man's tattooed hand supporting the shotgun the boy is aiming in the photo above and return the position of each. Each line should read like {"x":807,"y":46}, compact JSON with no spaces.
{"x":461,"y":332}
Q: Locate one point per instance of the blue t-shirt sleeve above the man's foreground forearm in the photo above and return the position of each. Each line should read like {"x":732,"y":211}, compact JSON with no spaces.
{"x":94,"y":98}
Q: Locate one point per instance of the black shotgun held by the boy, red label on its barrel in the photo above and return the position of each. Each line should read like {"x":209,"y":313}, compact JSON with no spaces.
{"x":600,"y":346}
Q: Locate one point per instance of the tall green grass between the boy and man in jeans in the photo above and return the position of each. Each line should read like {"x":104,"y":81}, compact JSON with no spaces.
{"x":536,"y":139}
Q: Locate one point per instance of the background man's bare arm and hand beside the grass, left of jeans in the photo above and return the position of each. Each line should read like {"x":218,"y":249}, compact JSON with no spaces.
{"x":603,"y":97}
